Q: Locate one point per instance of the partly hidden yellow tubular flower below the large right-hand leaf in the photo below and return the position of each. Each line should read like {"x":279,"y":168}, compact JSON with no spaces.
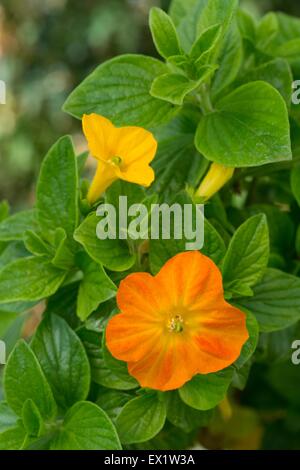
{"x":216,"y":178}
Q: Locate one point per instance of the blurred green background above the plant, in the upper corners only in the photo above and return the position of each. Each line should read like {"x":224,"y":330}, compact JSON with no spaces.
{"x":46,"y":48}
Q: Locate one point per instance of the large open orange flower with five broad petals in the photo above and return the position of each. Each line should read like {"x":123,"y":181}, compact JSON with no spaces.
{"x":176,"y":324}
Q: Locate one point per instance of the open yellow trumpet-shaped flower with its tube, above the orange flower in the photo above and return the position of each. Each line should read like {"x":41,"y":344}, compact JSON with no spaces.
{"x":122,"y":153}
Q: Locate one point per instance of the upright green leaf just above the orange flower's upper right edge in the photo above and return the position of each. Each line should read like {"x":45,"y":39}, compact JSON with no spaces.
{"x":247,"y":256}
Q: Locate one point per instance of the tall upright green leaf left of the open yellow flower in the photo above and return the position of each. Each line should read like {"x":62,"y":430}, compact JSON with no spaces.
{"x":57,"y":189}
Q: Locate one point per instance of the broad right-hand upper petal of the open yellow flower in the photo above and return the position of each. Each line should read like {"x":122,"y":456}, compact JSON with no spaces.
{"x":134,"y":144}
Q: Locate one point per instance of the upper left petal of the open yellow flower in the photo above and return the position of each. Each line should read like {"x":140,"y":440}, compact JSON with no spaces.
{"x":99,"y":133}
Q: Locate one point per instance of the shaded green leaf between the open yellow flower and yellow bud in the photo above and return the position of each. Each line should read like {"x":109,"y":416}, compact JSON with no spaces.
{"x":177,"y":162}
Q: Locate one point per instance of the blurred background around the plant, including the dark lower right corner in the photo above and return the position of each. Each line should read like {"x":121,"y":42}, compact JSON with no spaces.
{"x":46,"y":48}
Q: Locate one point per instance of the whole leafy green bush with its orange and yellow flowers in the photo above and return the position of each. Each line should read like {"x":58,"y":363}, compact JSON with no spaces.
{"x":142,"y":344}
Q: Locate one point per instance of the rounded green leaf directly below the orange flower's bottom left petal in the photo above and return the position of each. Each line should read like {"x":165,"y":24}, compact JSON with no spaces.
{"x":141,"y":419}
